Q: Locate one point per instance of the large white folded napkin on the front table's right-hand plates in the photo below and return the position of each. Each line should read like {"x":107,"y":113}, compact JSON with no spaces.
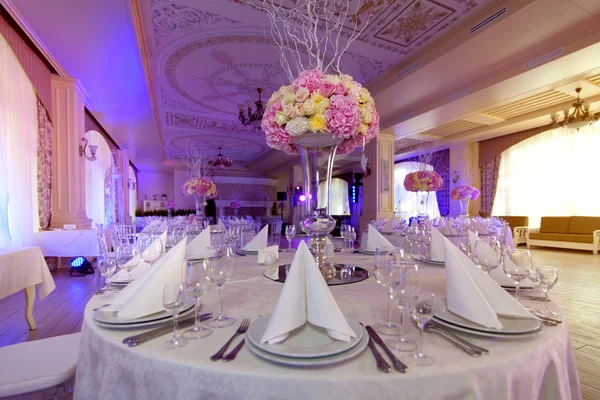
{"x":474,"y":295}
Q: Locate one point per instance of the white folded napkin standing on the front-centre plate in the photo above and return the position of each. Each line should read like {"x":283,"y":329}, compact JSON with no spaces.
{"x":305,"y":297}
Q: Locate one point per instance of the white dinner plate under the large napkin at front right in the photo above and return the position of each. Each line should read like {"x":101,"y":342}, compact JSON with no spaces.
{"x":510,"y":326}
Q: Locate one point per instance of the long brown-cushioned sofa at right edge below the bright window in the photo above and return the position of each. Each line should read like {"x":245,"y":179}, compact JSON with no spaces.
{"x":579,"y":233}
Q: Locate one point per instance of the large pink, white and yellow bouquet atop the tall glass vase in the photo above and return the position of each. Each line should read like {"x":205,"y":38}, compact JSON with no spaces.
{"x":318,"y":103}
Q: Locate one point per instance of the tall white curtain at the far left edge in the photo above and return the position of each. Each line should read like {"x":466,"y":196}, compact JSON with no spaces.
{"x":18,"y":153}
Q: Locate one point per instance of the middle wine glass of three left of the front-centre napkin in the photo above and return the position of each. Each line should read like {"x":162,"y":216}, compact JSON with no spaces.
{"x":197,"y":282}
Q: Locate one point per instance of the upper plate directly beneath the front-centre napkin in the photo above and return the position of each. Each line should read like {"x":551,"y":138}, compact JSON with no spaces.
{"x":308,"y":341}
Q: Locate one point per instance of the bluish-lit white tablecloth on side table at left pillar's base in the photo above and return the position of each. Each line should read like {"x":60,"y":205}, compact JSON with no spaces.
{"x":83,"y":242}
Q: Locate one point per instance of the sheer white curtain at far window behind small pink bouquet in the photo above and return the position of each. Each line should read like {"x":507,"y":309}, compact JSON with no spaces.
{"x":407,"y":202}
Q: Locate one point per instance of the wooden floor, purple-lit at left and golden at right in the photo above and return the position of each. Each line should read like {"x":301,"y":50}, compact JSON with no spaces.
{"x":578,"y":292}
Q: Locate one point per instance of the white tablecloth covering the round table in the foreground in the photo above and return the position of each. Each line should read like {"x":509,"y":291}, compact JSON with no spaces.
{"x":542,"y":367}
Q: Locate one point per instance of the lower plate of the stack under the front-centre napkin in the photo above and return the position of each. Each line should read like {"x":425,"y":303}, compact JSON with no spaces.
{"x":312,"y":362}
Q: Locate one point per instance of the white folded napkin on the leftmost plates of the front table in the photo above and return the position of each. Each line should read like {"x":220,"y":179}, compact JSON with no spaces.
{"x":143,"y":296}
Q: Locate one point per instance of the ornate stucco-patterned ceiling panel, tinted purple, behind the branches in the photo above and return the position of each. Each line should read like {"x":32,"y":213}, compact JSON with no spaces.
{"x":208,"y":56}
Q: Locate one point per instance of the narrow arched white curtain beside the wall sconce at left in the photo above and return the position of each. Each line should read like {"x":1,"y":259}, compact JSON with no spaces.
{"x":94,"y":177}
